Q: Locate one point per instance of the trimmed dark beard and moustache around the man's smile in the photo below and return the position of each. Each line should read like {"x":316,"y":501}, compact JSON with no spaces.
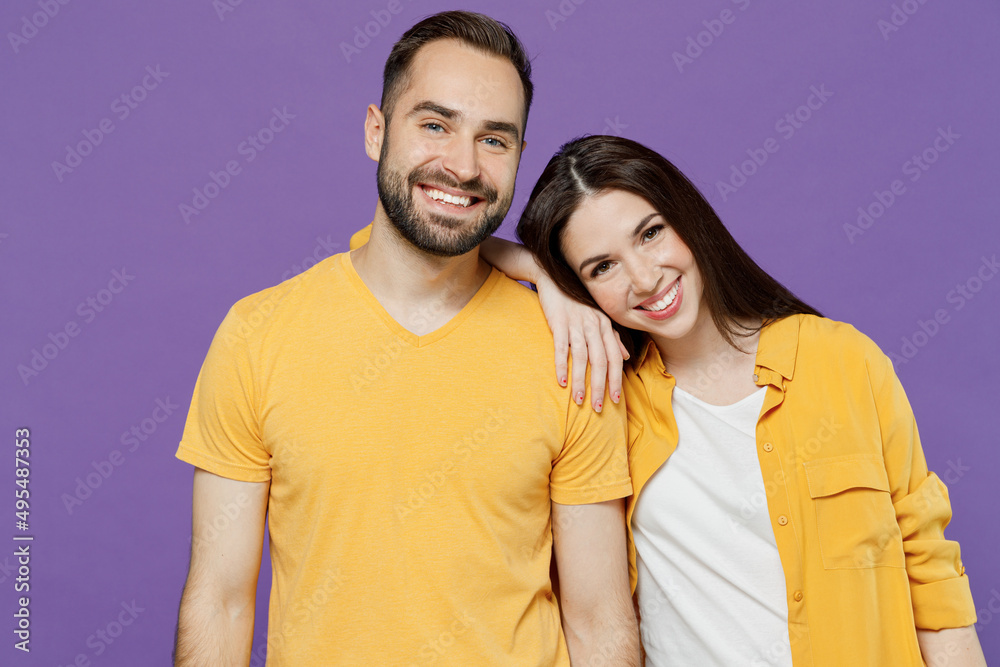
{"x":435,"y":233}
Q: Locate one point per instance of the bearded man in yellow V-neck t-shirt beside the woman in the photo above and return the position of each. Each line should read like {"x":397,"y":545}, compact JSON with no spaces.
{"x":392,"y":410}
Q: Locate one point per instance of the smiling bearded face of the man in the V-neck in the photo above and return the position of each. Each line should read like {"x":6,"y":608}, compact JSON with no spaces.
{"x":455,"y":134}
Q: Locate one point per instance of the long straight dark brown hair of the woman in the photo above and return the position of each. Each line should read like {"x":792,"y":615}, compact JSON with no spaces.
{"x":735,"y":287}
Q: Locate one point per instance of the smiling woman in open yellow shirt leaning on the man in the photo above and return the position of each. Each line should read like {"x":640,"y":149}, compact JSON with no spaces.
{"x":782,"y":512}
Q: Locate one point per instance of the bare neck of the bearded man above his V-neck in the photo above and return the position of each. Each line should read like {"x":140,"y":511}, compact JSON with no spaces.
{"x":419,"y":290}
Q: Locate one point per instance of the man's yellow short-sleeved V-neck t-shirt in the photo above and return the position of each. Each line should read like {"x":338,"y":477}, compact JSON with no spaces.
{"x":411,"y":476}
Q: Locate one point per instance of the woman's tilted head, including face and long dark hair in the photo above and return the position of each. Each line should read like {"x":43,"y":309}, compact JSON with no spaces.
{"x":618,"y":226}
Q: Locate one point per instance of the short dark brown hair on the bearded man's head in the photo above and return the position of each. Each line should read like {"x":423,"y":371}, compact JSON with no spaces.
{"x":475,"y":30}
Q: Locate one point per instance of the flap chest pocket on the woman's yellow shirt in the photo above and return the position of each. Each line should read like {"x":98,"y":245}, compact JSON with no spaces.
{"x":855,"y":519}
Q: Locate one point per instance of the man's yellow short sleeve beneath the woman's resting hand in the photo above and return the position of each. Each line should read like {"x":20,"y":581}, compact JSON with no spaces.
{"x":593,"y":464}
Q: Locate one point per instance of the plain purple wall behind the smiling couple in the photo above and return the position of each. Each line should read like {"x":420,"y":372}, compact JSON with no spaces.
{"x":104,"y":274}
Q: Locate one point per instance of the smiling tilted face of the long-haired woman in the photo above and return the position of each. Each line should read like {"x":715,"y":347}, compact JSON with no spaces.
{"x":634,"y":265}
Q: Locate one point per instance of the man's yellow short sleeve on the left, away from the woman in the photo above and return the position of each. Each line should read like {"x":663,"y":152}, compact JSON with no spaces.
{"x":222,"y":433}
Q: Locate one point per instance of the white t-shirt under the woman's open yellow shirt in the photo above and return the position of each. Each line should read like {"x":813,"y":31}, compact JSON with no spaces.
{"x":711,"y":587}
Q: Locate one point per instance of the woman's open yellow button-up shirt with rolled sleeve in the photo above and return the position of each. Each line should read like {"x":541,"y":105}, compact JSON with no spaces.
{"x":857,"y":517}
